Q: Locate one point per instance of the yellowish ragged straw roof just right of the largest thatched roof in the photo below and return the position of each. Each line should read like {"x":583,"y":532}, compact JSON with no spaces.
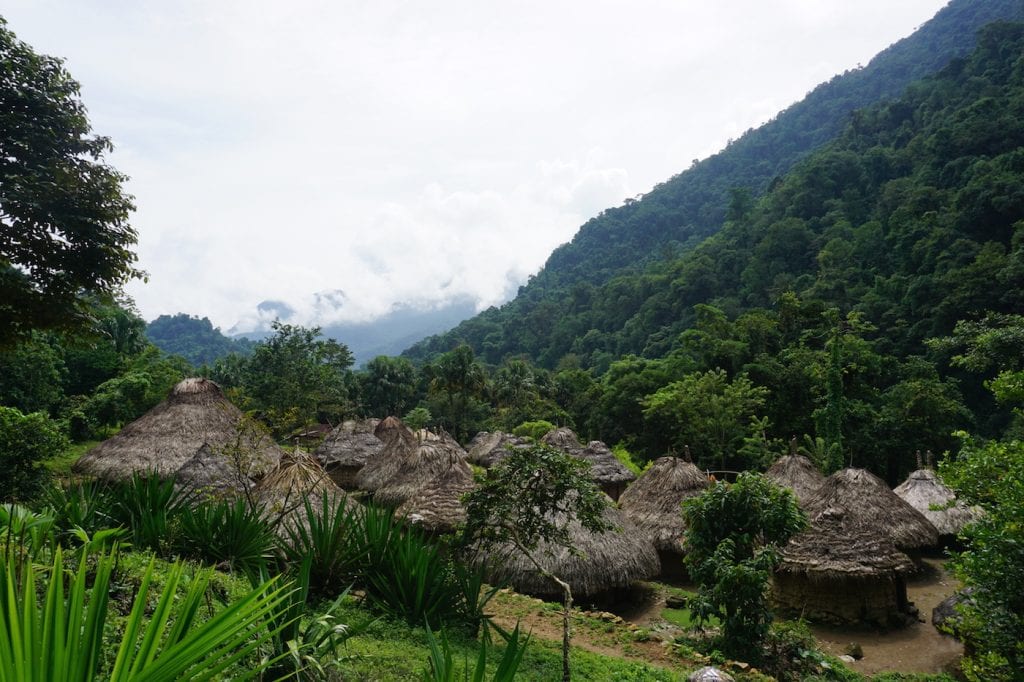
{"x":298,"y":478}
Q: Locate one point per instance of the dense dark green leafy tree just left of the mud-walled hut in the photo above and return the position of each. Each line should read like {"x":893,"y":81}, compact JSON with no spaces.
{"x":733,"y":540}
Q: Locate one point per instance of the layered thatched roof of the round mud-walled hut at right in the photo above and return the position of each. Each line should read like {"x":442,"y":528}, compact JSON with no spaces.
{"x":838,"y":546}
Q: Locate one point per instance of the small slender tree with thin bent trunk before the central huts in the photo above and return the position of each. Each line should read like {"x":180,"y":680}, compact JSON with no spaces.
{"x":530,"y":500}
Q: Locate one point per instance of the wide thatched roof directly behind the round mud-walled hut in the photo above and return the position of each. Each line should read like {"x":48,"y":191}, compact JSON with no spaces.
{"x":867,"y":501}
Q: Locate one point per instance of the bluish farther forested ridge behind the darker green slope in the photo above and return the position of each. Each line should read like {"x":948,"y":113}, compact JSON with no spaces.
{"x":676,"y":216}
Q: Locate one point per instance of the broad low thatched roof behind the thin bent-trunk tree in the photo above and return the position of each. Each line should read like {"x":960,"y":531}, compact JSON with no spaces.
{"x":604,"y":562}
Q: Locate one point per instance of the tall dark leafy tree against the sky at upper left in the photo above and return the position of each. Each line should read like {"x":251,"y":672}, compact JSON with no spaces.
{"x":64,"y":215}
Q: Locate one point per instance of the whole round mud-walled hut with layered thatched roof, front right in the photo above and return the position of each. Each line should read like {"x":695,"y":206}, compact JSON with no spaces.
{"x":841,"y":571}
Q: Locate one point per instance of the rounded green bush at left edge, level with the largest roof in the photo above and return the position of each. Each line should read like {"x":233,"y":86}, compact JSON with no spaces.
{"x":26,"y":441}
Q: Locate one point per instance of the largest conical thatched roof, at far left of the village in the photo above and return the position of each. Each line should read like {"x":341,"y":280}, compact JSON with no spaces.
{"x":196,"y":413}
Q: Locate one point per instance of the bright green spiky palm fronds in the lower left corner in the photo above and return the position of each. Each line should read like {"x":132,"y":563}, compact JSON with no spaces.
{"x":63,"y":641}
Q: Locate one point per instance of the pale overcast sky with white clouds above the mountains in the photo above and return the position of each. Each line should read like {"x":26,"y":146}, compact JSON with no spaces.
{"x":416,"y":152}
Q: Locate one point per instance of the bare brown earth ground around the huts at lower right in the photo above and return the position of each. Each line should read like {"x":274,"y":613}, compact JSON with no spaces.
{"x":641,"y":630}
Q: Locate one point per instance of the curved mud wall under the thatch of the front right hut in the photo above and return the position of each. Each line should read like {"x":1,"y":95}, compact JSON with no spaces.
{"x":880,"y":602}
